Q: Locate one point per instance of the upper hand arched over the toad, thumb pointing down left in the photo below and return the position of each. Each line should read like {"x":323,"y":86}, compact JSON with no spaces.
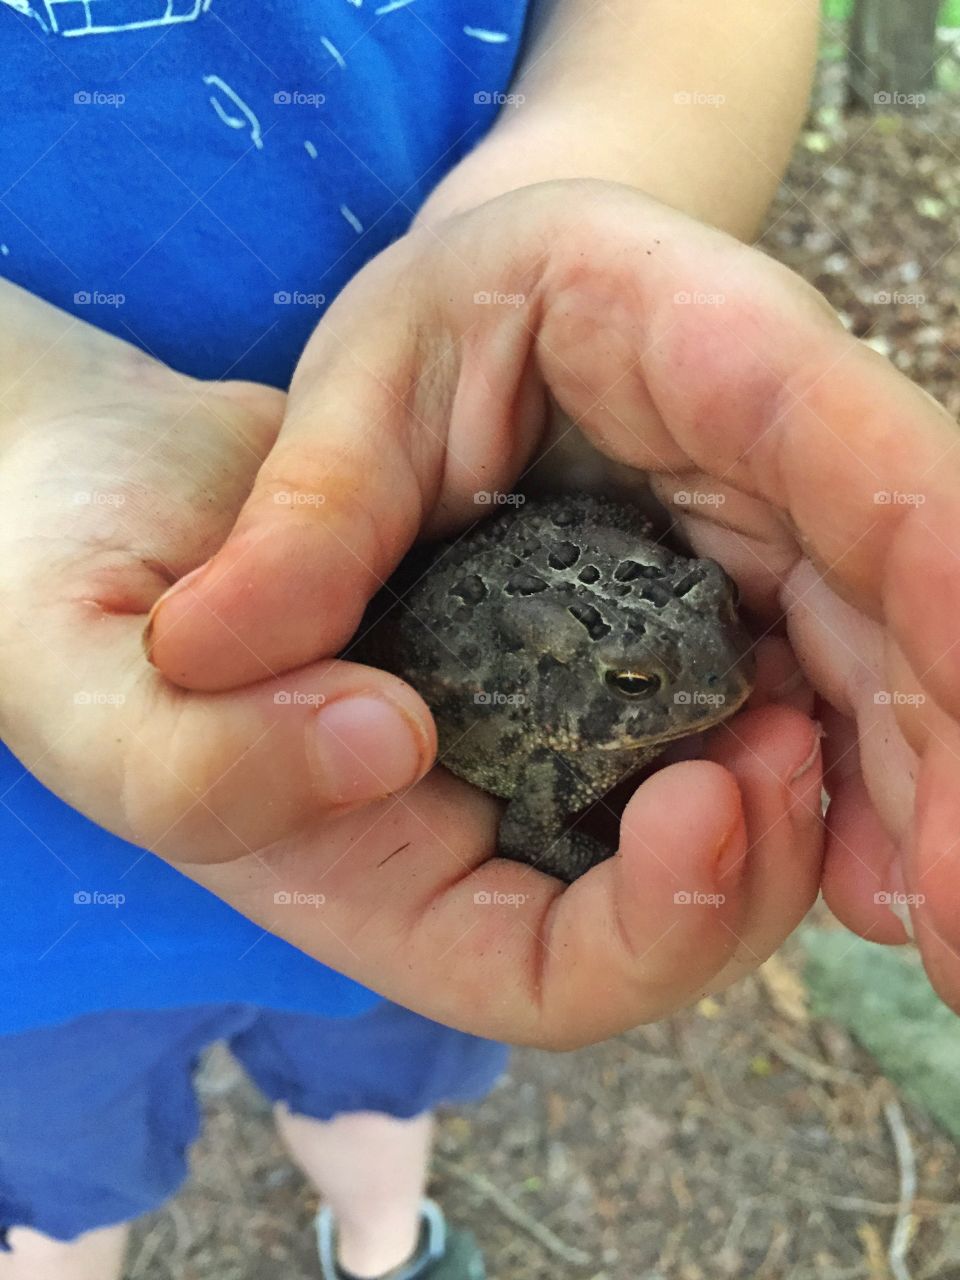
{"x":678,"y":351}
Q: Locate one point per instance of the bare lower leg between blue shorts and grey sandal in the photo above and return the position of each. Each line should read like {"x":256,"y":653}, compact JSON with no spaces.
{"x":372,"y":1171}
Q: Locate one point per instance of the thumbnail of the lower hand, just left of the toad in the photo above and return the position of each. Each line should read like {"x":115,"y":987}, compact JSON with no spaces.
{"x":367,"y":748}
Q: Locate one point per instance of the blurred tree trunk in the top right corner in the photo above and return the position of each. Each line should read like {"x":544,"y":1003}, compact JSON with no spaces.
{"x":893,"y":54}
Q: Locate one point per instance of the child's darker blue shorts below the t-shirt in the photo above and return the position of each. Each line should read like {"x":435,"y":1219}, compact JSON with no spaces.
{"x":97,"y":1116}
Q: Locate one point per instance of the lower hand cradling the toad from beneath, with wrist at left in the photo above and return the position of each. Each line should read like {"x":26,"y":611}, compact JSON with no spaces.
{"x":124,"y":478}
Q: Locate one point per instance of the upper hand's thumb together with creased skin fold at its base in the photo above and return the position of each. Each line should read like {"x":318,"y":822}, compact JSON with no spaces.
{"x":367,"y":456}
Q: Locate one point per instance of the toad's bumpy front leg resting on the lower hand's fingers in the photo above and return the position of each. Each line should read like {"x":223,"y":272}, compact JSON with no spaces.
{"x":551,"y":790}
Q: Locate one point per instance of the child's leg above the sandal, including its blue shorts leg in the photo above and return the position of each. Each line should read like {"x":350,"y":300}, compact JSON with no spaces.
{"x":358,"y":1100}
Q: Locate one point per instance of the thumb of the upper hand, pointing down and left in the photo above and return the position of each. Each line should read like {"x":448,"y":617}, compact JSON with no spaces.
{"x":335,"y":506}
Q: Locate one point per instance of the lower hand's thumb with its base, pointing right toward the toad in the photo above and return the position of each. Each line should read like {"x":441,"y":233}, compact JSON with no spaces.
{"x":209,"y":778}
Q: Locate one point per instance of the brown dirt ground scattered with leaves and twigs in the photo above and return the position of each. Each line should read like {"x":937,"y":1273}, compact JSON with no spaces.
{"x":742,"y":1139}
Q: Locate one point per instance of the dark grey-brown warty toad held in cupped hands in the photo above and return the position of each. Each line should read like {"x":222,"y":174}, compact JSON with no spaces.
{"x":560,"y":650}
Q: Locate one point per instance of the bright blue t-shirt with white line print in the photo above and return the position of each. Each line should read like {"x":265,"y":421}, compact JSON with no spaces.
{"x":202,"y":179}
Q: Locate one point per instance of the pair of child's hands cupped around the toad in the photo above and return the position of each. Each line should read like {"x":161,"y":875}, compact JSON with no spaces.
{"x":120,"y":478}
